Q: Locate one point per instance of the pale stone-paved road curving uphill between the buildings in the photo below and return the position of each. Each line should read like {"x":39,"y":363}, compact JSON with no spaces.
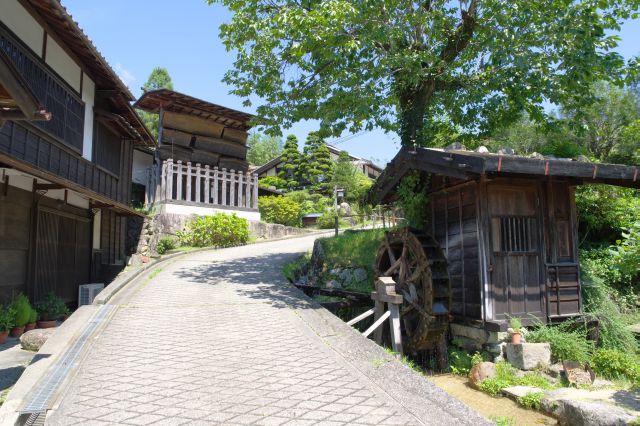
{"x":217,"y":338}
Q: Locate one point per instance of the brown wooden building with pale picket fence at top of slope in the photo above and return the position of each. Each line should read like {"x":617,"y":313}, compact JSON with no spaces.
{"x":200,"y":164}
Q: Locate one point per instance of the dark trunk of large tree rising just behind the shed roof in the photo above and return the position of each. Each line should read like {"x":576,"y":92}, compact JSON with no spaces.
{"x":413,"y":106}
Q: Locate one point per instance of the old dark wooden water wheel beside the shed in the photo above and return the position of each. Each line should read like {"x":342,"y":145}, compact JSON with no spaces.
{"x":416,"y":263}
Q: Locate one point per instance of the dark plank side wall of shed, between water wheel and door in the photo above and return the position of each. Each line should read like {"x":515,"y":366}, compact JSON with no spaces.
{"x":454,"y":224}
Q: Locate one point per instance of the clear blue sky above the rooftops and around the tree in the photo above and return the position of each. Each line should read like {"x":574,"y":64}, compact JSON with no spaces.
{"x":182,"y":36}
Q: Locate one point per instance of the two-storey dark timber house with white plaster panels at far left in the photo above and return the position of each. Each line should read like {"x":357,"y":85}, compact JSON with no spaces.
{"x":67,"y":132}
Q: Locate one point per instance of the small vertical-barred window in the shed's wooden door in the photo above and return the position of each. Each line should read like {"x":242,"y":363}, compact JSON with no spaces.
{"x":514,"y":234}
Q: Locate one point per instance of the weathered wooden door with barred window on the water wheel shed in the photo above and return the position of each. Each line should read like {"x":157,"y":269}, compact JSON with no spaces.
{"x":515,"y":268}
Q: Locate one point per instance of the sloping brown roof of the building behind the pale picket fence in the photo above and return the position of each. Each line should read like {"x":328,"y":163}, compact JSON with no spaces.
{"x":170,"y":100}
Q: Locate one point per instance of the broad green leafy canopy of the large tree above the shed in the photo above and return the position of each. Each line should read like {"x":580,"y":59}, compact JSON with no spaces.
{"x":410,"y":66}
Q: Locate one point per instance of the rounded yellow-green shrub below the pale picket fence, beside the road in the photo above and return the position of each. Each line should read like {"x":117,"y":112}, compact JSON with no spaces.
{"x":219,"y":230}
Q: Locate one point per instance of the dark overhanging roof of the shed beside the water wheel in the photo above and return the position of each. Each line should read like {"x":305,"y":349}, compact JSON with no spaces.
{"x":464,"y":164}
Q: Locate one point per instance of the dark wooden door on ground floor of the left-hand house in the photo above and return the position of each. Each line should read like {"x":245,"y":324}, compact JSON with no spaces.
{"x":62,"y":255}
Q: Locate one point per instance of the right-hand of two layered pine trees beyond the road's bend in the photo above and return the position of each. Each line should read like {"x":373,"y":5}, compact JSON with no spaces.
{"x":317,"y":165}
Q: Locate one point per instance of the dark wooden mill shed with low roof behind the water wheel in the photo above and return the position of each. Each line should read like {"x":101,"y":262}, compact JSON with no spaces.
{"x":506,"y":228}
